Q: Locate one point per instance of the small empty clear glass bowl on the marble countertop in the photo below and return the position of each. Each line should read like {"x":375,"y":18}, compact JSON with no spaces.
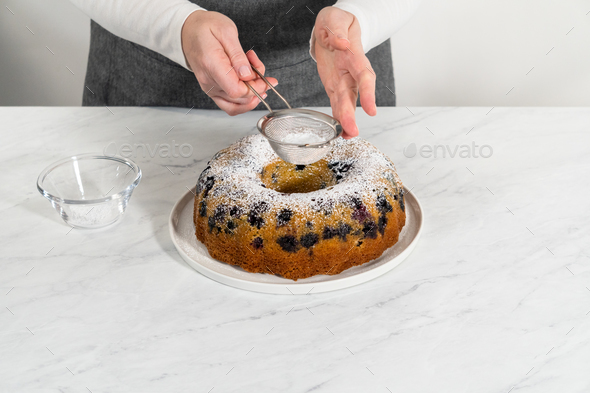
{"x":88,"y":190}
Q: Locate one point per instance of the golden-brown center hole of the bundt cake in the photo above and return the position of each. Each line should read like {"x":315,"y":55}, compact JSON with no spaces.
{"x":288,"y":178}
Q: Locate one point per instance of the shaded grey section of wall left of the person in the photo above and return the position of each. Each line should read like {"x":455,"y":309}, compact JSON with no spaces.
{"x":29,"y":73}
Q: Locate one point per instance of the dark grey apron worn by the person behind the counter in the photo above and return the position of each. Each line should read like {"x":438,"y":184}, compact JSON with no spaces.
{"x":121,"y":73}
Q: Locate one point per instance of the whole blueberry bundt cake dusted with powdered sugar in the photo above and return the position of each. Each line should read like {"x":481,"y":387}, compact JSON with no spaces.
{"x":256,"y":211}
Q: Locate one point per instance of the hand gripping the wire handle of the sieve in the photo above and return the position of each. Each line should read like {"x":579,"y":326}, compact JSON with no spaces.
{"x":212,"y":50}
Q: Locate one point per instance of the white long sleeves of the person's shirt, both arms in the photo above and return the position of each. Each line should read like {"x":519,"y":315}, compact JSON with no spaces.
{"x":157,"y":24}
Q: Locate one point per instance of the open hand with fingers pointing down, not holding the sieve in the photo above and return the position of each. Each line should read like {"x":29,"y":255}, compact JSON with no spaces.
{"x":343,"y":67}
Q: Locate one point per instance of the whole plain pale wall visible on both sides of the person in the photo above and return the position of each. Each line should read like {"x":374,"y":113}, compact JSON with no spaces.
{"x":454,"y":52}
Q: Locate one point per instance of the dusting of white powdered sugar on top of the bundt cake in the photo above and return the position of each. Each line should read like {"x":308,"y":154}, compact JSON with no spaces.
{"x":235,"y":175}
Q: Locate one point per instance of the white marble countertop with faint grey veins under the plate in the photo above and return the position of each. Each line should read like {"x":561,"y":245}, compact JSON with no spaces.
{"x":495,"y":298}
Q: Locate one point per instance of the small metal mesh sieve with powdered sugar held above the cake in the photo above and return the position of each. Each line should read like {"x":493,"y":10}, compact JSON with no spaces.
{"x":298,"y":136}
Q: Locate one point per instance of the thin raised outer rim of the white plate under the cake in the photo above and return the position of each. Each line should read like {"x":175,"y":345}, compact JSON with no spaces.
{"x":295,"y":287}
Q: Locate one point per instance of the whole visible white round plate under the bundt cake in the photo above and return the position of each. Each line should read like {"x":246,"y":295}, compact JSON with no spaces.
{"x":182,"y":231}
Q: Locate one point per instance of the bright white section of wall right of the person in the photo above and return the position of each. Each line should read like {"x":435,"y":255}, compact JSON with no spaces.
{"x":472,"y":52}
